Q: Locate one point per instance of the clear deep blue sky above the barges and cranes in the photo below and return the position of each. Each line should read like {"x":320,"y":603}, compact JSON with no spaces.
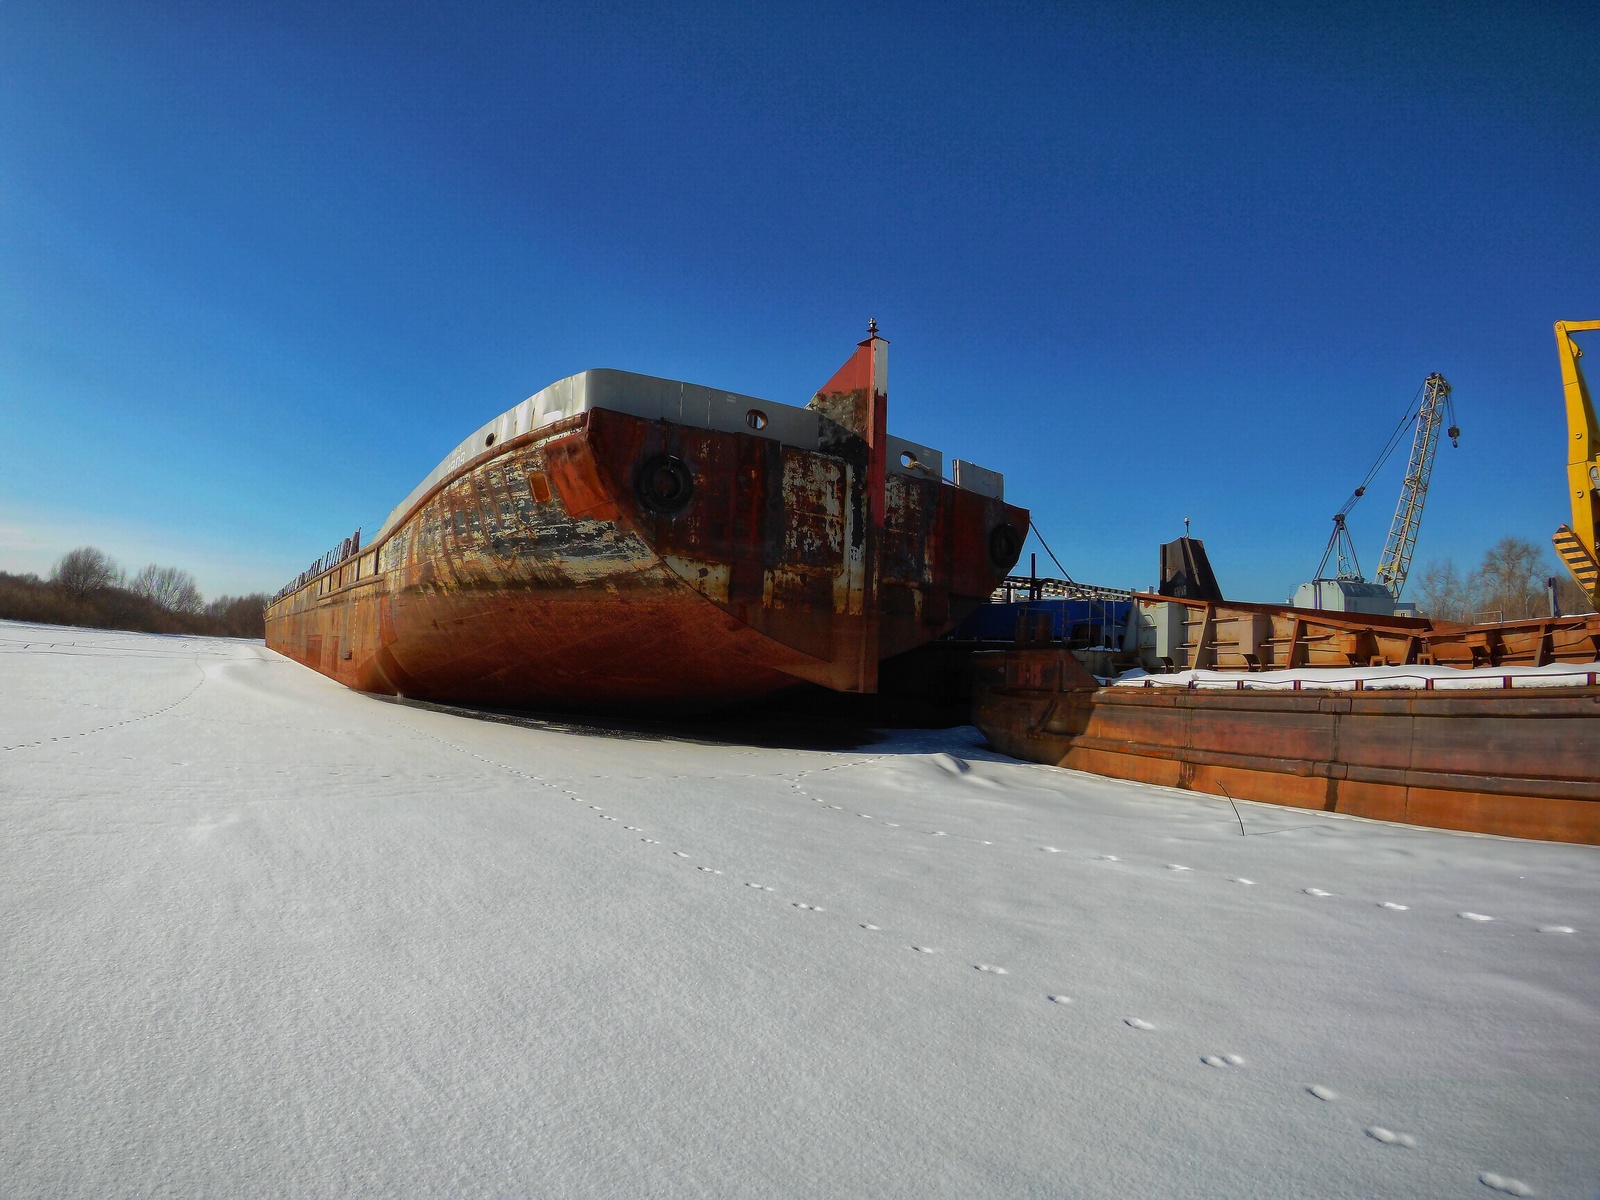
{"x":262,"y":266}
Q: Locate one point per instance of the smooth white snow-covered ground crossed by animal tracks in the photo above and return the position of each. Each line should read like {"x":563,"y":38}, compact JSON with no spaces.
{"x":262,"y":935}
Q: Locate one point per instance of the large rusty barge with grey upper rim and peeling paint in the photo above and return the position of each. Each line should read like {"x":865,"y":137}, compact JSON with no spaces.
{"x":628,"y":543}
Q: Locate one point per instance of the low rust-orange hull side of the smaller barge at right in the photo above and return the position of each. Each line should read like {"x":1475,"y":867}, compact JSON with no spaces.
{"x":1516,"y":762}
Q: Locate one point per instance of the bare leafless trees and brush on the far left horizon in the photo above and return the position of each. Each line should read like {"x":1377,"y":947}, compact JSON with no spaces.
{"x":87,"y":588}
